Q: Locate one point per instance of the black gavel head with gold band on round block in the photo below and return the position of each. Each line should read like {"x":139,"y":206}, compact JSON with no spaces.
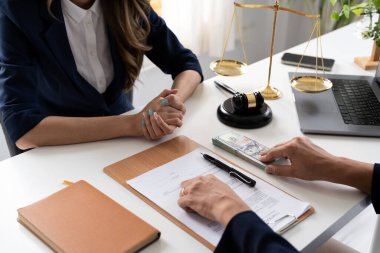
{"x":247,"y":101}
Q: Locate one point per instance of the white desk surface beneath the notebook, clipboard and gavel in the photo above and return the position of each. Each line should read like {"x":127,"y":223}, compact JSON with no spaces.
{"x":36,"y":174}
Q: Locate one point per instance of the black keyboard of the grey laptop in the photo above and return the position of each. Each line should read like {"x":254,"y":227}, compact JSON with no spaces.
{"x":357,"y":102}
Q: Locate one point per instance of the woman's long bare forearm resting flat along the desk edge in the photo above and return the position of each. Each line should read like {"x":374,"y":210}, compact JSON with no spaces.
{"x":54,"y":130}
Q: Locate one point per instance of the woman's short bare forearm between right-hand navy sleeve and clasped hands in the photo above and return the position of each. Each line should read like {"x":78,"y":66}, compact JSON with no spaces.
{"x":186,"y":83}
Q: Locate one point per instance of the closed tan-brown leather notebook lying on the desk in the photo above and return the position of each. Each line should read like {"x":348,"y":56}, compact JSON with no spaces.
{"x":82,"y":219}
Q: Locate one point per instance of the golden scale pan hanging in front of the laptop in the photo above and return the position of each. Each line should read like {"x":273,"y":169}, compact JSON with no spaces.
{"x":311,"y":84}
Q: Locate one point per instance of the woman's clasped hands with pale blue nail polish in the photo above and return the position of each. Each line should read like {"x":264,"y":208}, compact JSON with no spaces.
{"x":162,"y":115}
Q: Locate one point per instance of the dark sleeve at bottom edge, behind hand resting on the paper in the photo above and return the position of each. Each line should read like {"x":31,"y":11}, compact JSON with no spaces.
{"x":247,"y":233}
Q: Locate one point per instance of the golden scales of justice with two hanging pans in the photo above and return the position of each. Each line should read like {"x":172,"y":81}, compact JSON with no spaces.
{"x":309,"y":83}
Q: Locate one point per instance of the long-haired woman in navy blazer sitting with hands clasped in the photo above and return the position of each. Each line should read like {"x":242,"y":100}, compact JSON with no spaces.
{"x":44,"y":100}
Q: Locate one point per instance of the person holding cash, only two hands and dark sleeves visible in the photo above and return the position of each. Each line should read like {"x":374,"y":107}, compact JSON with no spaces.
{"x":245,"y":232}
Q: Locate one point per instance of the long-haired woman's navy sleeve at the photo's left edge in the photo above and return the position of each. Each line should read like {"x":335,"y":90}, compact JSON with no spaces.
{"x":17,"y":81}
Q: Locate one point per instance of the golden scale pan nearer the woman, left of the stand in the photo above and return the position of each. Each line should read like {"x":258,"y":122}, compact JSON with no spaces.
{"x":228,"y":67}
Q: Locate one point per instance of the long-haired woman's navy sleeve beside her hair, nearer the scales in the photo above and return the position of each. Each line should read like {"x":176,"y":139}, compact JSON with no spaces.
{"x":167,"y":52}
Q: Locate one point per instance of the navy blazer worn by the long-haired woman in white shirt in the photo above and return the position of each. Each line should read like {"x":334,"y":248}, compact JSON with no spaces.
{"x":38,"y":75}
